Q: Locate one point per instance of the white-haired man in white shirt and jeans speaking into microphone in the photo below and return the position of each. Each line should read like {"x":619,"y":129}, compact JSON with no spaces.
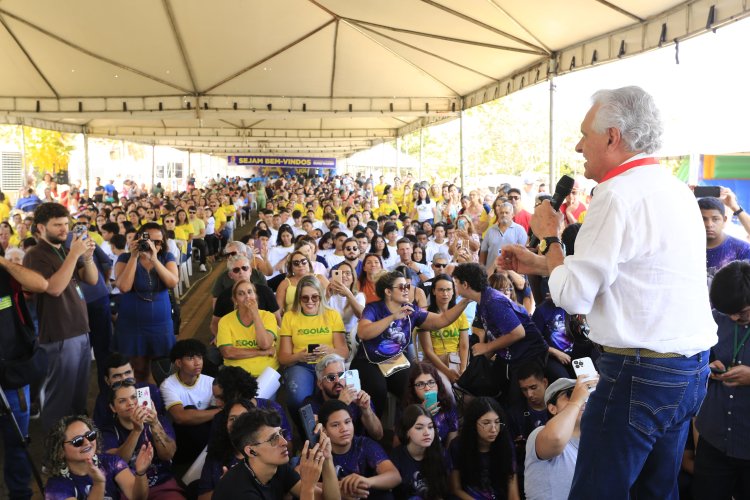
{"x":638,"y":273}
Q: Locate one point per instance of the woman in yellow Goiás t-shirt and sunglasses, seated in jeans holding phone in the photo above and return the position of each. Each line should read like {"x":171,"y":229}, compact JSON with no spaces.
{"x":309,"y":331}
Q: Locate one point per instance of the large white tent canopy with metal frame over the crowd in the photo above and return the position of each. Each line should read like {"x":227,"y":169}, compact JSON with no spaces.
{"x":319,"y":77}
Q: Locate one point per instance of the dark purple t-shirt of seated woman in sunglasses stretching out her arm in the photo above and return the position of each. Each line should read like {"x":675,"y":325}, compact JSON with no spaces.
{"x":396,"y":337}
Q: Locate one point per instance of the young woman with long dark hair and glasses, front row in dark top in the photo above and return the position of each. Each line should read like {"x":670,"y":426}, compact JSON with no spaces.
{"x":482,"y":455}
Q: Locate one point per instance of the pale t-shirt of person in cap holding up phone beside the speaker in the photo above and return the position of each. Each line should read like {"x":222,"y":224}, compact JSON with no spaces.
{"x":545,"y":479}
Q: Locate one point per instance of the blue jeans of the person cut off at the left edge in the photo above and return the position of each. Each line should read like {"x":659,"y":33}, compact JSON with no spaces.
{"x":17,"y":470}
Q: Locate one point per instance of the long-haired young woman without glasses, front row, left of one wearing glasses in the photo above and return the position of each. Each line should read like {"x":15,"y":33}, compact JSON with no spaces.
{"x":419,"y":458}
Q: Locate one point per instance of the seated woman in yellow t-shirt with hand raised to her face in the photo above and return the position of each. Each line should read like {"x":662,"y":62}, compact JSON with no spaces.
{"x":247,"y":335}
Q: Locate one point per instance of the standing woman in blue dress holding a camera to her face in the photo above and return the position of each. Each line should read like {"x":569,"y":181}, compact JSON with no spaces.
{"x":144,"y":328}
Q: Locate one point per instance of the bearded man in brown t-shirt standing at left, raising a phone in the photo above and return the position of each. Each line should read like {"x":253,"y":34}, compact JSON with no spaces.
{"x":68,"y":348}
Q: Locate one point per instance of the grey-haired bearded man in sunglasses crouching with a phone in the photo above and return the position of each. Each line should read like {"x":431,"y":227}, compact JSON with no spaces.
{"x":329,"y":371}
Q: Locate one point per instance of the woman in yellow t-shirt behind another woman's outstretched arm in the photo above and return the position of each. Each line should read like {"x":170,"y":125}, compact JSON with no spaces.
{"x":447,"y":348}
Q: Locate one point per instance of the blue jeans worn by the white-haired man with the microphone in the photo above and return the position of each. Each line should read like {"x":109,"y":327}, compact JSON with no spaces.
{"x":634,"y":428}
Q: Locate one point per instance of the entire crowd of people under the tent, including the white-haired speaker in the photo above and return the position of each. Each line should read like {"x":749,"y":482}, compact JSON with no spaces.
{"x":399,"y":306}
